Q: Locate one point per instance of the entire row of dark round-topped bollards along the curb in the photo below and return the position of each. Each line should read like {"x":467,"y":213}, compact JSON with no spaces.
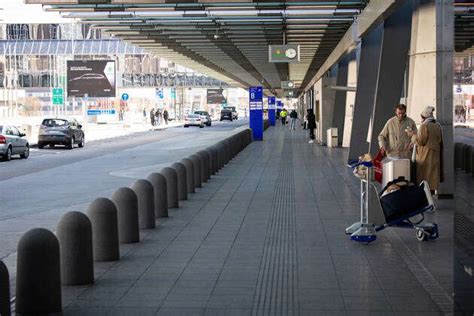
{"x":46,"y":261}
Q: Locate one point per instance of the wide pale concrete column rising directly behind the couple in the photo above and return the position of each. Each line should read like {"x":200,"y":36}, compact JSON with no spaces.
{"x":431,"y":73}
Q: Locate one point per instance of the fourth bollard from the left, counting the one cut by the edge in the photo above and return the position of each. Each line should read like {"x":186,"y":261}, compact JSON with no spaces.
{"x":105,"y":239}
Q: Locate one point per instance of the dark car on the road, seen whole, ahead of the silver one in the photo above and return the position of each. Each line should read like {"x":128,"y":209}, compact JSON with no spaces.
{"x":59,"y":131}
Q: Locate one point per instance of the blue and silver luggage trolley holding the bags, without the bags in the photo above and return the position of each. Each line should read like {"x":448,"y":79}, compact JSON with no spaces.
{"x":373,"y":218}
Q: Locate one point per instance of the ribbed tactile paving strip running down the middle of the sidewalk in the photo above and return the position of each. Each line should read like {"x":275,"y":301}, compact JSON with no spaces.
{"x":277,"y":288}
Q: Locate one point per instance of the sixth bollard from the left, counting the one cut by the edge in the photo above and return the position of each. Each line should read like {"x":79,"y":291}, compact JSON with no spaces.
{"x":146,"y":203}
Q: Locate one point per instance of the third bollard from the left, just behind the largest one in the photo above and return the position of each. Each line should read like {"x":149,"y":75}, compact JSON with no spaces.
{"x":74,"y":232}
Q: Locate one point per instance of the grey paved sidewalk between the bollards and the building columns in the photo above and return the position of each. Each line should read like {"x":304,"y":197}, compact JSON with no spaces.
{"x":265,"y":236}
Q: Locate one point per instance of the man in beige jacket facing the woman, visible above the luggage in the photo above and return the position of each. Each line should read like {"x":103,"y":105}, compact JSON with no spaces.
{"x":393,"y":140}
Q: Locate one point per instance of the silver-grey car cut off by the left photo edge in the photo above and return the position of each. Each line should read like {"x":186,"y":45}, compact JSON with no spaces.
{"x":12,"y":142}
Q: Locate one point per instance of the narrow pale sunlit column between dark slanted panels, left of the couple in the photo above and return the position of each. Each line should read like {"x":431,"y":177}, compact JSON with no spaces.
{"x":350,"y":99}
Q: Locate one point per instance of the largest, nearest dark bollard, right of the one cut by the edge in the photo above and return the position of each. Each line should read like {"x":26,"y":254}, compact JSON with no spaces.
{"x":38,"y":273}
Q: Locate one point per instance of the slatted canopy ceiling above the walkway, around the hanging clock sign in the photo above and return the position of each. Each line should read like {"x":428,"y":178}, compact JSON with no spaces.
{"x":227,"y":40}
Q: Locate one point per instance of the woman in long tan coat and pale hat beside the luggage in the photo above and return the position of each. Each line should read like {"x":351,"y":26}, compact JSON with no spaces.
{"x":429,"y":149}
